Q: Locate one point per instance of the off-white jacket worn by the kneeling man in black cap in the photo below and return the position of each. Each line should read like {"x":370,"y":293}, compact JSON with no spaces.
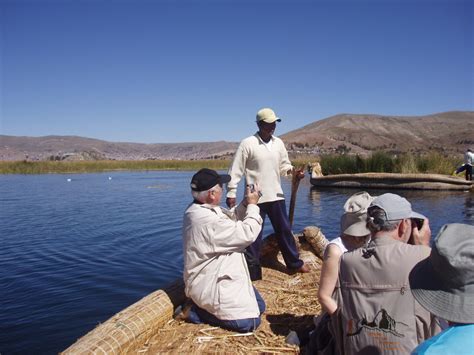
{"x":216,"y":276}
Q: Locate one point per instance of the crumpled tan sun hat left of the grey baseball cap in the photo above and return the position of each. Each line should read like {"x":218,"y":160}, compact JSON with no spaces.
{"x":354,"y":220}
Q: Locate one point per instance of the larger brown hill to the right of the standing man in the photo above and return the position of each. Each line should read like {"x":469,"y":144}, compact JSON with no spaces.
{"x":450,"y":132}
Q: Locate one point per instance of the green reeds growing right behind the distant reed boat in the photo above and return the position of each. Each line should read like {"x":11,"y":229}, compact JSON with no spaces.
{"x":381,"y":162}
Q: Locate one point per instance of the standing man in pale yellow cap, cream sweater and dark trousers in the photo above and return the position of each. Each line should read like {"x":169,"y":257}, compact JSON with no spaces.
{"x":261,"y":159}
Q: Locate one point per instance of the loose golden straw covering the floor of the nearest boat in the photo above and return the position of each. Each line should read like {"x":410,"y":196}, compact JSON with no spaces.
{"x":291,"y":300}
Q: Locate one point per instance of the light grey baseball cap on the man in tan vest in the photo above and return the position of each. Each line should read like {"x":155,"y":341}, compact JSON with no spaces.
{"x":395,"y":207}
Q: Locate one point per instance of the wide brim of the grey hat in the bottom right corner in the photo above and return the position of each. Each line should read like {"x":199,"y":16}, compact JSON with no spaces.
{"x":428,"y":289}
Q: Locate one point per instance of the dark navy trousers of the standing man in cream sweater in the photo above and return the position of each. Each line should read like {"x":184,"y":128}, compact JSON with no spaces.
{"x":276,"y":211}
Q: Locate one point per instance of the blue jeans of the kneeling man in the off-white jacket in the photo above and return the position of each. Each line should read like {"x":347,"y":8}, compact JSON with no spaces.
{"x":198,"y":315}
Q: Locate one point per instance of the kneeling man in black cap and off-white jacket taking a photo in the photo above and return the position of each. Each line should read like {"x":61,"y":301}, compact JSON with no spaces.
{"x":216,"y":275}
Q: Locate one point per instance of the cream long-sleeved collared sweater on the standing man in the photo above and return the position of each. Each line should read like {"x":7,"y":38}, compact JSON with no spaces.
{"x":259,"y":164}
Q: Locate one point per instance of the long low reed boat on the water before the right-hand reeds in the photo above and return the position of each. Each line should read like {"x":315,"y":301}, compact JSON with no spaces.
{"x":392,"y":181}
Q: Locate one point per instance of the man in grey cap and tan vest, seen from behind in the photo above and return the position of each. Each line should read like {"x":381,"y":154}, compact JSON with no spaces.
{"x":376,"y":311}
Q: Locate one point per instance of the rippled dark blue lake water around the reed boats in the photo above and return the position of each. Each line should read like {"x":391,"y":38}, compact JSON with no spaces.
{"x":73,"y":253}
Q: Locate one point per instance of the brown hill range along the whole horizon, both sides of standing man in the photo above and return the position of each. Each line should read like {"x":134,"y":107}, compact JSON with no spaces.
{"x":449,"y":132}
